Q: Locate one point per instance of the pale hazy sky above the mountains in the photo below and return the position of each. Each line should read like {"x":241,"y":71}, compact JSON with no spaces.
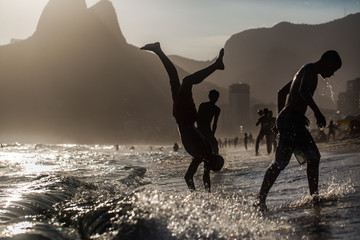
{"x":190,"y":28}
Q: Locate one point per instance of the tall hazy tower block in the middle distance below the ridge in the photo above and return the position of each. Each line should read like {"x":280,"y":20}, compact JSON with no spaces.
{"x":239,"y":105}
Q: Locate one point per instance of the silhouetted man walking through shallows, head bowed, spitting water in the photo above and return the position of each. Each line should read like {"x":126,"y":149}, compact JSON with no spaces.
{"x":293,"y":100}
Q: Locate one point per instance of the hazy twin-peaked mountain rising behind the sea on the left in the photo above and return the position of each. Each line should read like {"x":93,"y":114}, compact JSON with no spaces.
{"x":76,"y":79}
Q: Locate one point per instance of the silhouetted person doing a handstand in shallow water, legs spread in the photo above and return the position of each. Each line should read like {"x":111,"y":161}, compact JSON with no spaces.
{"x":185,"y":113}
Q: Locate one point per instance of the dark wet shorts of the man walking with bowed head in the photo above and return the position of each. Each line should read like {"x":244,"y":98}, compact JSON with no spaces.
{"x":294,"y":138}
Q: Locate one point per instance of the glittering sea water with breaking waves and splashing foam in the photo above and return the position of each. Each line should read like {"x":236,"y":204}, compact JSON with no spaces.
{"x":96,"y":192}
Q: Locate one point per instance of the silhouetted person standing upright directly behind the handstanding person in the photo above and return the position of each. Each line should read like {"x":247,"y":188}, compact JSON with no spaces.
{"x":208,"y":112}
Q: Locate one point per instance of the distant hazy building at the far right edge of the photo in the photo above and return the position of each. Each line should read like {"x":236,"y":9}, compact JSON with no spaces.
{"x":349,"y":101}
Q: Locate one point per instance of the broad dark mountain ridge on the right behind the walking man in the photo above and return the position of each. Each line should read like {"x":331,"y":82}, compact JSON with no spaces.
{"x":268,"y":58}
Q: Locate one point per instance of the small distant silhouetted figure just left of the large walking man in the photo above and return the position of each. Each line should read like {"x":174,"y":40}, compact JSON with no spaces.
{"x":264,"y":131}
